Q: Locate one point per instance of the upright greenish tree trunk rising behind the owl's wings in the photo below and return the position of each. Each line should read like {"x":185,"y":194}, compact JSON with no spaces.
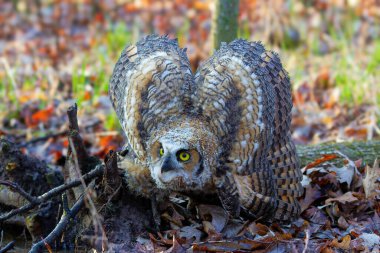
{"x":225,"y":21}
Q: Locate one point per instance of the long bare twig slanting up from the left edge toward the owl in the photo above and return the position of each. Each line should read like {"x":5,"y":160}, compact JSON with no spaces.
{"x":97,"y":171}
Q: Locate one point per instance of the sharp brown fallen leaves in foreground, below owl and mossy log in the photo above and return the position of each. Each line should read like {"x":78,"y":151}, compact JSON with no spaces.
{"x":337,"y":216}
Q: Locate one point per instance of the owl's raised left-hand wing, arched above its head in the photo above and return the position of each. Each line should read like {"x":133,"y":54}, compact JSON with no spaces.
{"x":150,"y":83}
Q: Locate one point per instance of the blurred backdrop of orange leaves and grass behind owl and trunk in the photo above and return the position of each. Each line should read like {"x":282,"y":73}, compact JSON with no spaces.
{"x":55,"y":53}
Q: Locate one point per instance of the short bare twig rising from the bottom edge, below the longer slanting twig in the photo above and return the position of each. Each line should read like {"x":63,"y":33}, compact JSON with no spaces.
{"x":58,"y":230}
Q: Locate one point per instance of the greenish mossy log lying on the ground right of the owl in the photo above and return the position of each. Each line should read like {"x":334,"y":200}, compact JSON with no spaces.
{"x":368,"y":151}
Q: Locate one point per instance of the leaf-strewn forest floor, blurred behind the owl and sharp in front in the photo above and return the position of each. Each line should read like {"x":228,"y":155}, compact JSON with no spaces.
{"x":52,"y":56}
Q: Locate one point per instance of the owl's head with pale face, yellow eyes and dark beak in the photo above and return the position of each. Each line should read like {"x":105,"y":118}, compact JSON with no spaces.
{"x":182,"y":157}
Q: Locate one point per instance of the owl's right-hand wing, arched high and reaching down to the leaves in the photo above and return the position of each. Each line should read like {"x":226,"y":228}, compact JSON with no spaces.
{"x":244,"y":93}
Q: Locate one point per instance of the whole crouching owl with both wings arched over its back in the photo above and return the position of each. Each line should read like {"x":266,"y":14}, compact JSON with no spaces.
{"x":224,"y":130}
